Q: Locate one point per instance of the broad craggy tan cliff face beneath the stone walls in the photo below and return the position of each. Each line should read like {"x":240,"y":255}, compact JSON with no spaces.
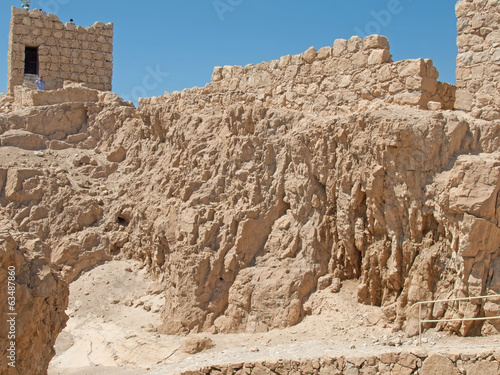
{"x":241,"y":208}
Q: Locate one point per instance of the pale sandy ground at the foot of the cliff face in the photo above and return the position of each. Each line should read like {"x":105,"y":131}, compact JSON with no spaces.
{"x":114,"y":313}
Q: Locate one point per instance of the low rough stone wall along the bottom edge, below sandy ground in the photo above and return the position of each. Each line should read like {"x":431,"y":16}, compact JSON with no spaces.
{"x":406,"y":362}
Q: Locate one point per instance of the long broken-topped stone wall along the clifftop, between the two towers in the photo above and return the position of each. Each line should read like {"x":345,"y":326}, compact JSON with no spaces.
{"x":327,"y":80}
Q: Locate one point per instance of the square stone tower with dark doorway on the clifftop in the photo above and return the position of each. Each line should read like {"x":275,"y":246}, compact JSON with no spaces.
{"x":65,"y":51}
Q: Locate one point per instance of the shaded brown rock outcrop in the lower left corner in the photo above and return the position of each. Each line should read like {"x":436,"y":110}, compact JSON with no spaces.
{"x":40,"y":299}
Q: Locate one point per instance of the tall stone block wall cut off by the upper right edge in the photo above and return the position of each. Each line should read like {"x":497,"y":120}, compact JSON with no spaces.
{"x":478,"y":61}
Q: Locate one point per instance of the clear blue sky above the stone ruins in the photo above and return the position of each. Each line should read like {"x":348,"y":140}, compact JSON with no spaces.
{"x":168,"y":45}
